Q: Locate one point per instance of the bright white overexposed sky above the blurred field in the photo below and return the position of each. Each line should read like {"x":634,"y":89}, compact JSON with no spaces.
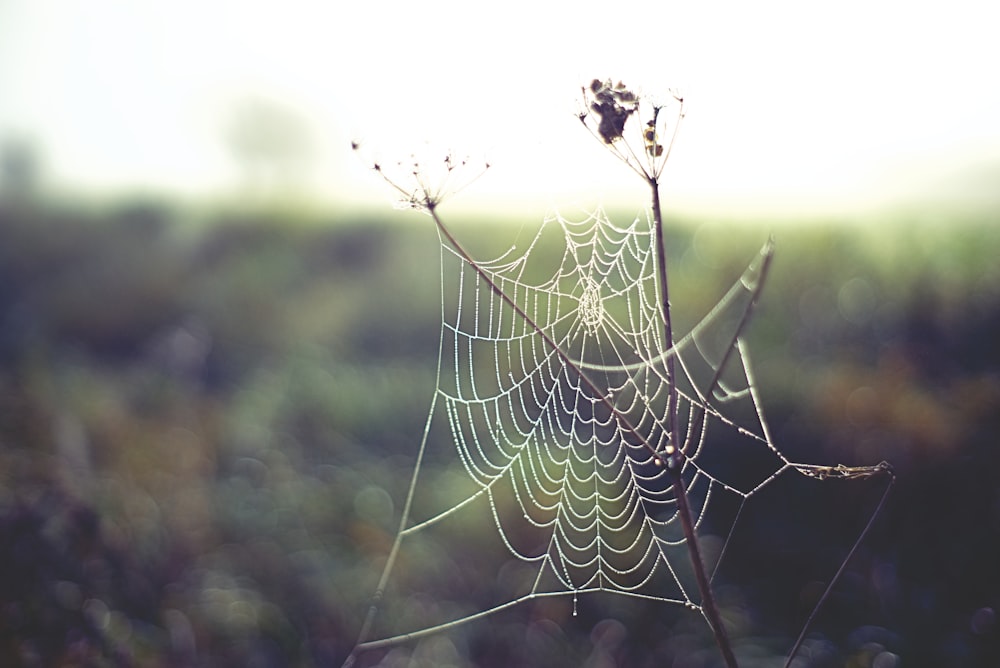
{"x":790,"y":103}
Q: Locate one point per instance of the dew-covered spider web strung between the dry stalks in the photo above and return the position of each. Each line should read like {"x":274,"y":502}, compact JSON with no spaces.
{"x":561,"y":423}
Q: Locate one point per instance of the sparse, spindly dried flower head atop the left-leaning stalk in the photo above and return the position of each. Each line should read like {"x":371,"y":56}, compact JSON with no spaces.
{"x":423,"y":184}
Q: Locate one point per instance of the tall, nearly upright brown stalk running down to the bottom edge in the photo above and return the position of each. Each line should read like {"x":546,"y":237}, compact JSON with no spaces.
{"x":675,"y":461}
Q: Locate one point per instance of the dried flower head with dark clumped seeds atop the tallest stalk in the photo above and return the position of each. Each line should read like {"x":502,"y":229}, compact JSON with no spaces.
{"x":608,"y":110}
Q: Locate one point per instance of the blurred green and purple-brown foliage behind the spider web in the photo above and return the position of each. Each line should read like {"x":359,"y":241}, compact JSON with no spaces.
{"x":207,"y":429}
